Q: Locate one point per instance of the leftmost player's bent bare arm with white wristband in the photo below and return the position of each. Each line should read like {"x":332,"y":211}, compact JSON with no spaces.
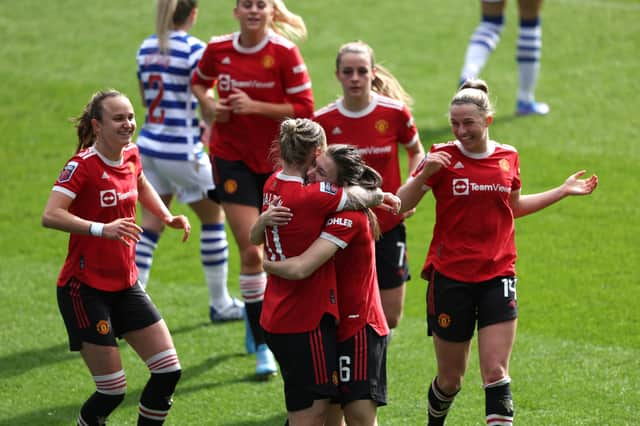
{"x":56,"y":215}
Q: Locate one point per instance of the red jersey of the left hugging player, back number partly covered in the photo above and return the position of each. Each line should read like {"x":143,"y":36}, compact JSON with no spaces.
{"x":297,"y":306}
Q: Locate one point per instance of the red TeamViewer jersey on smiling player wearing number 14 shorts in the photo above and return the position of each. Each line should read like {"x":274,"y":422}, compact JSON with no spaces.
{"x":474,"y":234}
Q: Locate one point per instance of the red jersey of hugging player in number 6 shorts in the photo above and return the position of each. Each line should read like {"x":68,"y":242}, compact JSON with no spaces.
{"x":359,"y":300}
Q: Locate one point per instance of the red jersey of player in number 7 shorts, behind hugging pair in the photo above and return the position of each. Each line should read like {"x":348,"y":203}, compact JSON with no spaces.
{"x":376,"y":131}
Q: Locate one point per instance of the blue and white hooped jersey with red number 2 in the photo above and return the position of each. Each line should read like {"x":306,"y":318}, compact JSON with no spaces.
{"x":171,"y":129}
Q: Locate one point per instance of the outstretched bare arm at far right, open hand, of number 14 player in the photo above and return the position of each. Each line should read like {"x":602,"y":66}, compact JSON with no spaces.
{"x":522,"y":205}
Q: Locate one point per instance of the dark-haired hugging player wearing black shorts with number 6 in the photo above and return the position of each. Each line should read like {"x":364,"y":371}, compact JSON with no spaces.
{"x":362,"y":345}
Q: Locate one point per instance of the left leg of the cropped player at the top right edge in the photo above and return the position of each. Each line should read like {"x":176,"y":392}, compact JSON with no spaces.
{"x":484,"y":39}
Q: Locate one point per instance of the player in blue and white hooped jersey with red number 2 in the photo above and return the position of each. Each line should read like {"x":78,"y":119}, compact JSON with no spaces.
{"x":172,"y":154}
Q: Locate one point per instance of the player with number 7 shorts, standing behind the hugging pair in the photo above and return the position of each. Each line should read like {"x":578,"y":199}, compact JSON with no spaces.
{"x":373,"y":115}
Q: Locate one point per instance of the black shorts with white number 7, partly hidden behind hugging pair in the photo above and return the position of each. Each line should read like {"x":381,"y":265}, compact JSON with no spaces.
{"x":391,"y":258}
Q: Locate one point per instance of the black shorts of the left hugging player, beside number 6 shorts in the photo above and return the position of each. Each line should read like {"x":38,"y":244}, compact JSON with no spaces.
{"x":307,"y":364}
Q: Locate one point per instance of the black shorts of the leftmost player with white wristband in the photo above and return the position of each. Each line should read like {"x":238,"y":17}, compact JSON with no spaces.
{"x":98,"y":317}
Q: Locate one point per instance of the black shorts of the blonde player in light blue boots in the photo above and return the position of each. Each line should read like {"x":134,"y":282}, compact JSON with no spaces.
{"x":235,"y":183}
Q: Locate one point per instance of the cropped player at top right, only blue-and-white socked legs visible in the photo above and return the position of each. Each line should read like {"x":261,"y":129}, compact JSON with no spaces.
{"x":485,"y":39}
